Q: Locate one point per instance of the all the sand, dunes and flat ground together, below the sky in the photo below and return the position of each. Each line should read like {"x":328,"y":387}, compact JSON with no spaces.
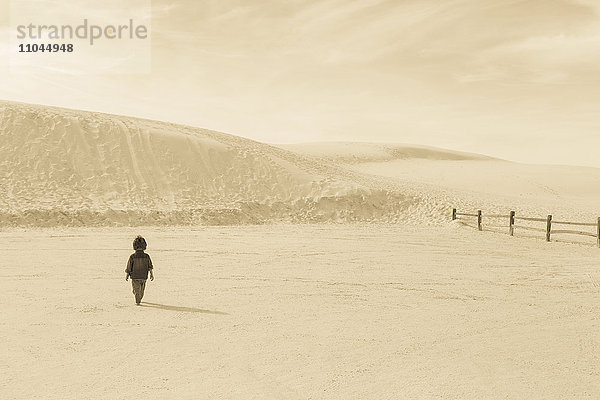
{"x":309,"y":271}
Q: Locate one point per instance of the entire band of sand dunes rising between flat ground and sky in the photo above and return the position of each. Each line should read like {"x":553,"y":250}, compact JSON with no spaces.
{"x":63,"y":167}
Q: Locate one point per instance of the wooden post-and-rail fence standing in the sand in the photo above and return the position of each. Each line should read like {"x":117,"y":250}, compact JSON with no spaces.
{"x":549,"y":230}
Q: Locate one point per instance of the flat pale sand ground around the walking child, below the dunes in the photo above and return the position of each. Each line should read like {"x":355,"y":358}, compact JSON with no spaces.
{"x":299,"y":312}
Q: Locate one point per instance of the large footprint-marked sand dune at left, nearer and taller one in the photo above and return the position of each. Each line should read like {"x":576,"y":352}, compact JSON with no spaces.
{"x":66,"y":167}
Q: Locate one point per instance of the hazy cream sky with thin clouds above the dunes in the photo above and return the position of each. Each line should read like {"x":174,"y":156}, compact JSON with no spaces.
{"x":518,"y":79}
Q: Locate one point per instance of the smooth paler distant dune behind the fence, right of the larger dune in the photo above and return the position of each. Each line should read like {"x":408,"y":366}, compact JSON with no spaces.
{"x":471,"y":181}
